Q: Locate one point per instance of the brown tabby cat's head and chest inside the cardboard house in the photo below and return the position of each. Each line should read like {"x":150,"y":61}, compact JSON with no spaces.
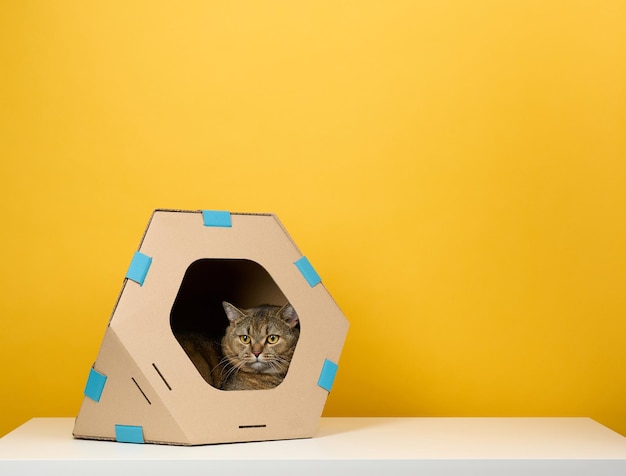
{"x":258,"y":346}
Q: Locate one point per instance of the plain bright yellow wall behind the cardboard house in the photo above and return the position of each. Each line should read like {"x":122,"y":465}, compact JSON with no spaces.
{"x":454,"y":170}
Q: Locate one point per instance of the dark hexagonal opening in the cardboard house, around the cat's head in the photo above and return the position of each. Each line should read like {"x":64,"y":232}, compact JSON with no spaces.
{"x":197,"y":318}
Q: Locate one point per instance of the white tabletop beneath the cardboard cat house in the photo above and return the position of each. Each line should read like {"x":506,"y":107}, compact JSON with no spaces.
{"x":360,"y":446}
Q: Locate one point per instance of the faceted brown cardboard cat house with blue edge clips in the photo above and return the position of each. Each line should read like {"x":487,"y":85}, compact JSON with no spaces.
{"x":143,"y":388}
